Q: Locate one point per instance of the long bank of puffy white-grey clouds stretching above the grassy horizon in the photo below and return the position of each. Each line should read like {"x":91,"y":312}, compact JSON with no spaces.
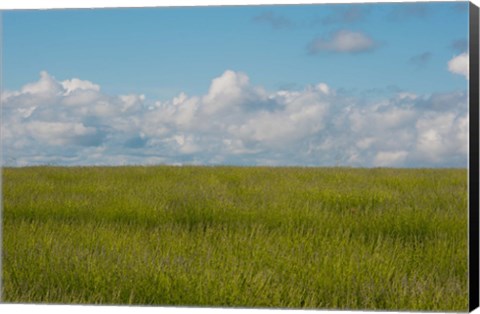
{"x":73,"y":122}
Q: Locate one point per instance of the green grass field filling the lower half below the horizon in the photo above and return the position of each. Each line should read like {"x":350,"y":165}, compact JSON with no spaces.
{"x":334,"y":238}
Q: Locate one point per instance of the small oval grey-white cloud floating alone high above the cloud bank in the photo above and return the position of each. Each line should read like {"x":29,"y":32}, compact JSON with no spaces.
{"x":343,"y":41}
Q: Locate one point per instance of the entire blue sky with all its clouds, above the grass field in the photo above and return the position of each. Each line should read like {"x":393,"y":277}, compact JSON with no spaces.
{"x":317,"y":85}
